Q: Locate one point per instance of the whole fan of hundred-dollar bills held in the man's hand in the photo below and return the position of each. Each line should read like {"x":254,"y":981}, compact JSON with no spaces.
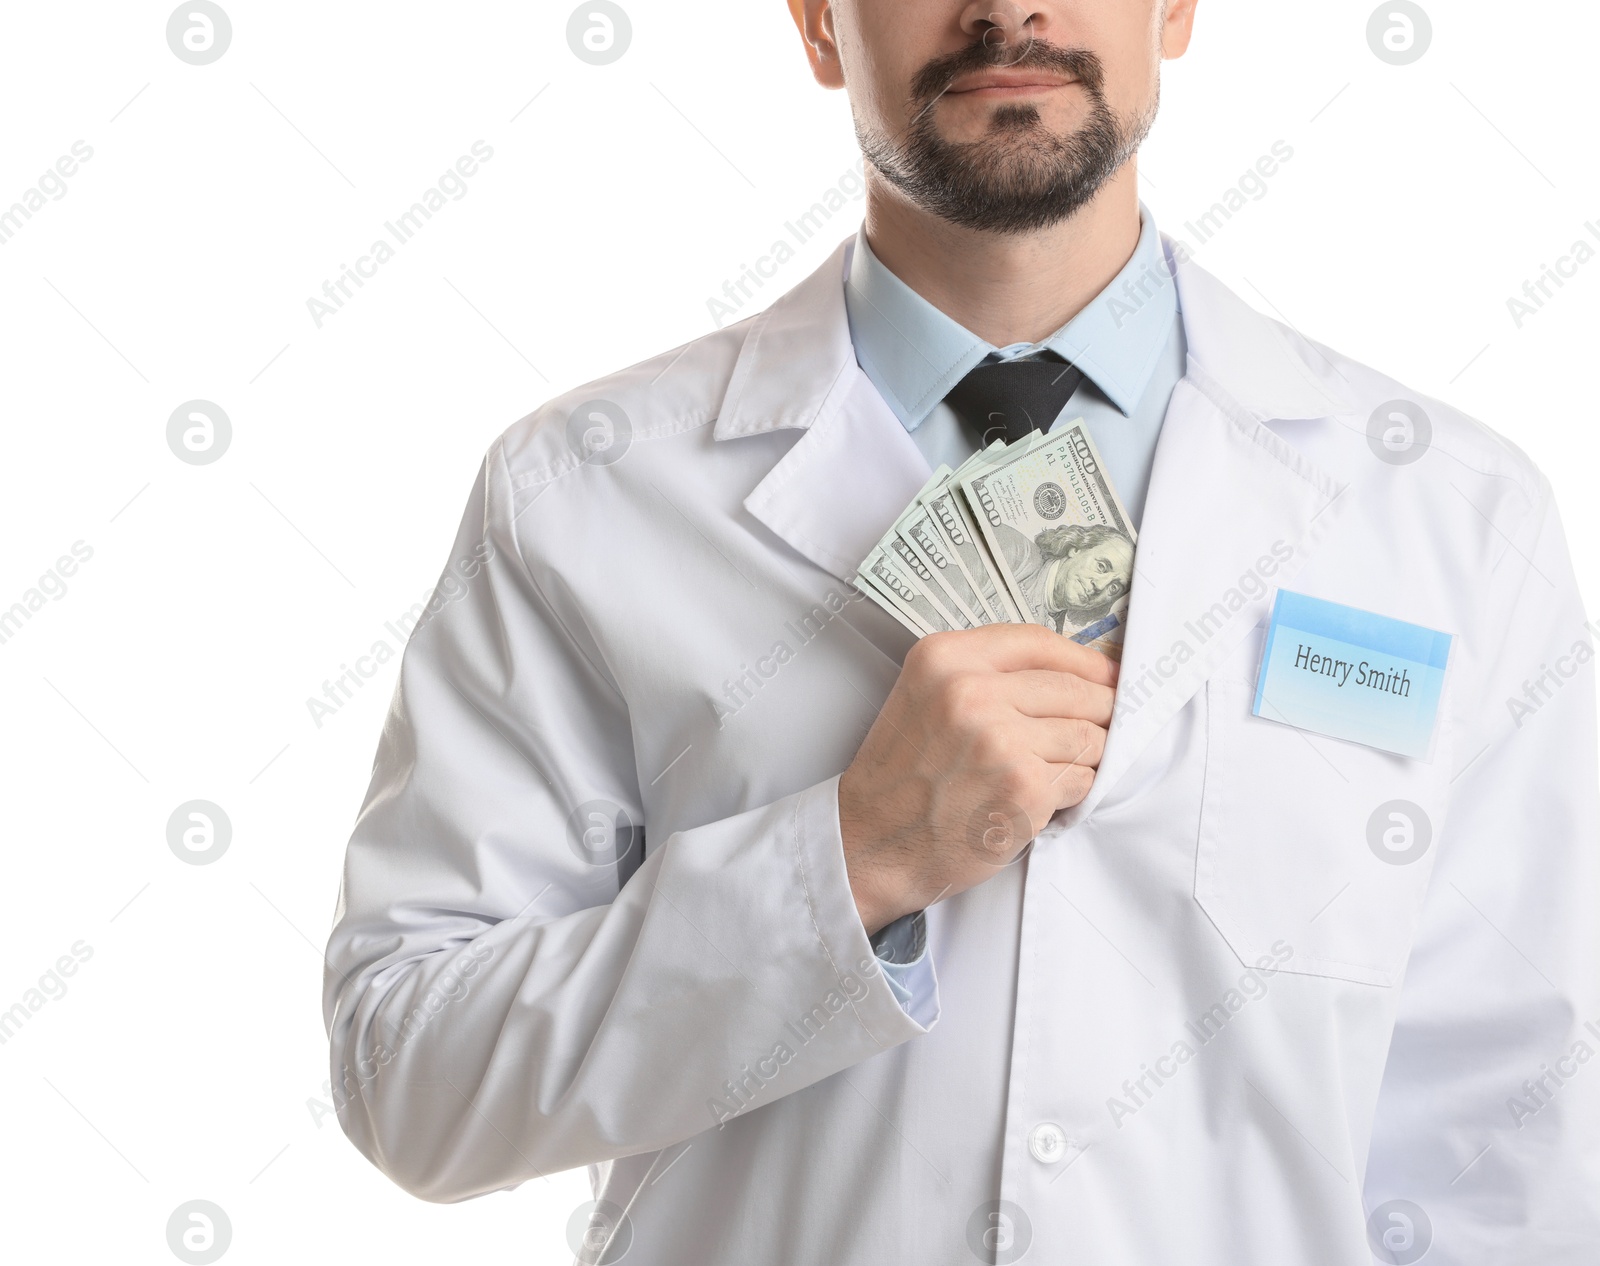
{"x":1031,"y":532}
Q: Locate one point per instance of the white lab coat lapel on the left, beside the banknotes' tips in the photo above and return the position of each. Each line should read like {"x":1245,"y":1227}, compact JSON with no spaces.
{"x":833,"y":495}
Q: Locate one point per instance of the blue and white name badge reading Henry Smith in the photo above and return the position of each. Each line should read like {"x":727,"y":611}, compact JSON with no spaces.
{"x":1353,"y":675}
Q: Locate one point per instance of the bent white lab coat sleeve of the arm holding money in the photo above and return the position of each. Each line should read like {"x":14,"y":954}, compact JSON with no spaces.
{"x":498,"y":1009}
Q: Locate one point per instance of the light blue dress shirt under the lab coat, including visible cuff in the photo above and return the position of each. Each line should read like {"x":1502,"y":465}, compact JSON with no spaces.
{"x":1130,"y":347}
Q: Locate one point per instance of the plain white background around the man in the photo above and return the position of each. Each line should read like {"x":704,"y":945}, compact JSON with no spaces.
{"x":186,"y":1060}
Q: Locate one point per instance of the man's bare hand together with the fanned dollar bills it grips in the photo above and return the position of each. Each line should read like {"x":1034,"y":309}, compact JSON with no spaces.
{"x":1015,"y":572}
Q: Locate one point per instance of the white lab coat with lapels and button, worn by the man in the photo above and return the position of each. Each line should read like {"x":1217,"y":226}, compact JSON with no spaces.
{"x":711,"y":1036}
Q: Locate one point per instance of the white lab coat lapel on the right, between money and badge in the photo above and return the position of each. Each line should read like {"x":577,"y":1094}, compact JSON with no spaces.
{"x":1233,"y":511}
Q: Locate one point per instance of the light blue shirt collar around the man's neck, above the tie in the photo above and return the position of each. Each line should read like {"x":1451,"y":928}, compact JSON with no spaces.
{"x":916,"y":355}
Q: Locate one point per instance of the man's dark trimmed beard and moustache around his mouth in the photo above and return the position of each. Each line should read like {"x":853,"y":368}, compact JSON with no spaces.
{"x":1022,"y":177}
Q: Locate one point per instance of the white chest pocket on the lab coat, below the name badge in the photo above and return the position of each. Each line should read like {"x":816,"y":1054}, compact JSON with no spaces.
{"x":1308,"y":843}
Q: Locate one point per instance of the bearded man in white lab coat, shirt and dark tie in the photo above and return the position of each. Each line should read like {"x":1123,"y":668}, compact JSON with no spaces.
{"x":708,"y":902}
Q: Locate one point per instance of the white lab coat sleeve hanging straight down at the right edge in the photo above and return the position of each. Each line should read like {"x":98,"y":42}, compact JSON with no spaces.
{"x":1489,"y":1118}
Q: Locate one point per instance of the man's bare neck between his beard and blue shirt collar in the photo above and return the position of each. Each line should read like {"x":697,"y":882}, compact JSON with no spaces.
{"x":1007,"y":287}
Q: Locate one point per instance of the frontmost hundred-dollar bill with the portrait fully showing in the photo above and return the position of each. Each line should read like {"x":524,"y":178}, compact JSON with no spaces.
{"x":1060,"y":535}
